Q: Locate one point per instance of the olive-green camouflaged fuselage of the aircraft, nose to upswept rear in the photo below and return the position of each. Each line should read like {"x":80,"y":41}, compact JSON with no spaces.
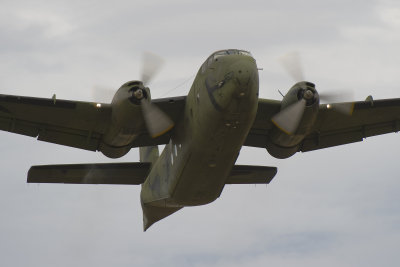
{"x":220,"y":109}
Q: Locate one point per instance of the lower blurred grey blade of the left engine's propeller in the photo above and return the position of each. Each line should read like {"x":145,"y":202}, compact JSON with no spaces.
{"x":157,"y":121}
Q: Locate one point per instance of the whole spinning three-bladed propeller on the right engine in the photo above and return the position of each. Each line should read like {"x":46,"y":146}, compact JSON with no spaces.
{"x":288,"y":119}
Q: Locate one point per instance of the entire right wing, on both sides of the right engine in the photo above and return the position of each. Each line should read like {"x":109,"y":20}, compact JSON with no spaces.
{"x":333,"y":128}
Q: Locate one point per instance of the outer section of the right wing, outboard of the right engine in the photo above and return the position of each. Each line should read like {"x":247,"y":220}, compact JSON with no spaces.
{"x":369,"y":118}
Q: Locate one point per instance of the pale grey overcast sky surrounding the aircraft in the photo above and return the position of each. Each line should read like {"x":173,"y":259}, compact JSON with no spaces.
{"x":334,"y":207}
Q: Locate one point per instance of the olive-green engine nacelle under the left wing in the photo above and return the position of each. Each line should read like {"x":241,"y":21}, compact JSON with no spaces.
{"x":126,"y":119}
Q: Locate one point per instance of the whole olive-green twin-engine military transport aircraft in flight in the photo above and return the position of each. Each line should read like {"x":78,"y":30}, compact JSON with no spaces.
{"x":203,"y":132}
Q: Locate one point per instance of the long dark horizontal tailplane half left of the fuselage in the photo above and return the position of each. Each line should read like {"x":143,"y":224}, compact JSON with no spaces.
{"x":107,"y":173}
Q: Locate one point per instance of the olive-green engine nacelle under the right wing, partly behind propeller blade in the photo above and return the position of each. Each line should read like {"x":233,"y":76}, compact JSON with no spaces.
{"x":283,"y":145}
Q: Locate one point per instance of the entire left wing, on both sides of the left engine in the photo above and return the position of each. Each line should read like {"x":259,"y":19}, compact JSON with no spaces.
{"x":71,"y":123}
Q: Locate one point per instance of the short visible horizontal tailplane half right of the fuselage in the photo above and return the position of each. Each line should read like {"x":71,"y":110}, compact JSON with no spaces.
{"x":244,"y":174}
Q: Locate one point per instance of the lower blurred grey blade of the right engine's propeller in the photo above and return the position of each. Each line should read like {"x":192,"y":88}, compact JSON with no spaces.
{"x":289,"y":118}
